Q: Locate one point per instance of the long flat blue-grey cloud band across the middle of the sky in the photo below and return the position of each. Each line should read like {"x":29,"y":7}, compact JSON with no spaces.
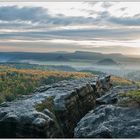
{"x":76,"y":34}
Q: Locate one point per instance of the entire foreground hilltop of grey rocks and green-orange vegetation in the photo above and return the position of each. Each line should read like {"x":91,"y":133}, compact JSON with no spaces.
{"x":41,"y":103}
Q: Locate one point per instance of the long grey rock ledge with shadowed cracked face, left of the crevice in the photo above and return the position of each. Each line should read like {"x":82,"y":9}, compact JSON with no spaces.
{"x":71,"y":101}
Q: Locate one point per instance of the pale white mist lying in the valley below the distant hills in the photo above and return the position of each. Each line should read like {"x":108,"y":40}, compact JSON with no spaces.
{"x":123,"y":69}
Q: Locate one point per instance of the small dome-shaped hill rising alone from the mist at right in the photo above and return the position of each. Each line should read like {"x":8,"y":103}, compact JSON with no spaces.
{"x":107,"y":61}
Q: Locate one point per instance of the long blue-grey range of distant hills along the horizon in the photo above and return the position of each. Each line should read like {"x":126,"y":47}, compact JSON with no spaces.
{"x":61,"y":56}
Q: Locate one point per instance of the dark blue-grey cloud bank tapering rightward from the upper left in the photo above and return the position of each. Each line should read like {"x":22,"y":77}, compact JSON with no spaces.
{"x":38,"y":15}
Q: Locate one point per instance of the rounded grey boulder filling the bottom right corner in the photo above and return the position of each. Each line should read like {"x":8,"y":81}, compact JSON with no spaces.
{"x":109,"y":121}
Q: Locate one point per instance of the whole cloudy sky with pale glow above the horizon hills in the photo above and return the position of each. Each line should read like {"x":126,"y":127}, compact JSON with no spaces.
{"x":106,"y":27}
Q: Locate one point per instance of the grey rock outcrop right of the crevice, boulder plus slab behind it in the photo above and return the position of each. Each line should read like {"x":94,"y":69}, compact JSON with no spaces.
{"x":109,"y":119}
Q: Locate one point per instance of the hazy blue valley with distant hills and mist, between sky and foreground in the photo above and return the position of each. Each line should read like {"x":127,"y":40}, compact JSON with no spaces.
{"x":78,"y":61}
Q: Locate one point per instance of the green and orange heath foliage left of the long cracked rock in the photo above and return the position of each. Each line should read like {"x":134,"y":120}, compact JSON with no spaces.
{"x":17,"y":82}
